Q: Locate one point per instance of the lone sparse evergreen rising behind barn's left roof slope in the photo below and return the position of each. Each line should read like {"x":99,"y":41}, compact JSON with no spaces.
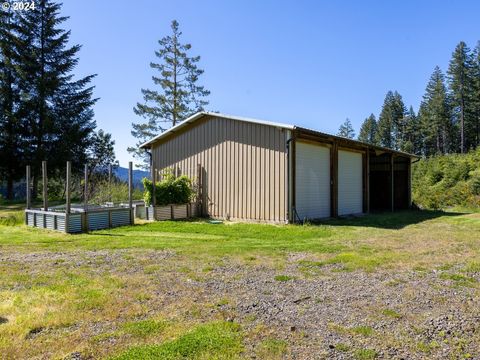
{"x":179,"y":95}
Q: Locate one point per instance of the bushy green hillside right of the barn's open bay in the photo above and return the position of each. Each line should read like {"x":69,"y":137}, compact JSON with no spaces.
{"x":448,"y":180}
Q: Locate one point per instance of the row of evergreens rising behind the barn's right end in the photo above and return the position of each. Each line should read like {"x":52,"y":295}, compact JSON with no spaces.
{"x":448,"y":120}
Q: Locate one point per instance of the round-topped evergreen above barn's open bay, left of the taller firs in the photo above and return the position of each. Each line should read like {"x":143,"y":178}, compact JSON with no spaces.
{"x":388,"y":126}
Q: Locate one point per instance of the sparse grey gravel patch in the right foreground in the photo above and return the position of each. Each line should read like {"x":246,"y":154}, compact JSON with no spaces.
{"x":396,"y":315}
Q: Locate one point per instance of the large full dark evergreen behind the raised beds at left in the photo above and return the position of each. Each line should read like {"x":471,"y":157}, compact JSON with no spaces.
{"x":56,"y":108}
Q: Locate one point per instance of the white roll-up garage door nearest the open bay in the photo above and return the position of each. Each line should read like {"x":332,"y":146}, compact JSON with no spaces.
{"x":350,"y":190}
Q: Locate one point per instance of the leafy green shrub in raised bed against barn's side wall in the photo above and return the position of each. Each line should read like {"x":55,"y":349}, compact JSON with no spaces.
{"x":171,"y":190}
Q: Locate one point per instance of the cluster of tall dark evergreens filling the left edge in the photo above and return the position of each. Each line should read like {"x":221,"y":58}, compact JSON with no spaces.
{"x":45,"y":111}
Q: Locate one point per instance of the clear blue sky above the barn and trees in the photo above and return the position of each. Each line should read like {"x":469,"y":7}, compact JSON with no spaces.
{"x":310,"y":63}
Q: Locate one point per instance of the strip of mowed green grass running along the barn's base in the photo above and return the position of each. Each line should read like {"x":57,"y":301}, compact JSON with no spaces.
{"x":410,"y":239}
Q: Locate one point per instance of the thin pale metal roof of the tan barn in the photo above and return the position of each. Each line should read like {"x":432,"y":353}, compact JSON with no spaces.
{"x":199,"y":115}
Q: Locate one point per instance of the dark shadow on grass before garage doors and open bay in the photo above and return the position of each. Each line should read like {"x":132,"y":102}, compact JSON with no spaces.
{"x":391,"y":220}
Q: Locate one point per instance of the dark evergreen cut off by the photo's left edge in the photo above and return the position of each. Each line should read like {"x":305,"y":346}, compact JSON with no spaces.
{"x":11,"y":168}
